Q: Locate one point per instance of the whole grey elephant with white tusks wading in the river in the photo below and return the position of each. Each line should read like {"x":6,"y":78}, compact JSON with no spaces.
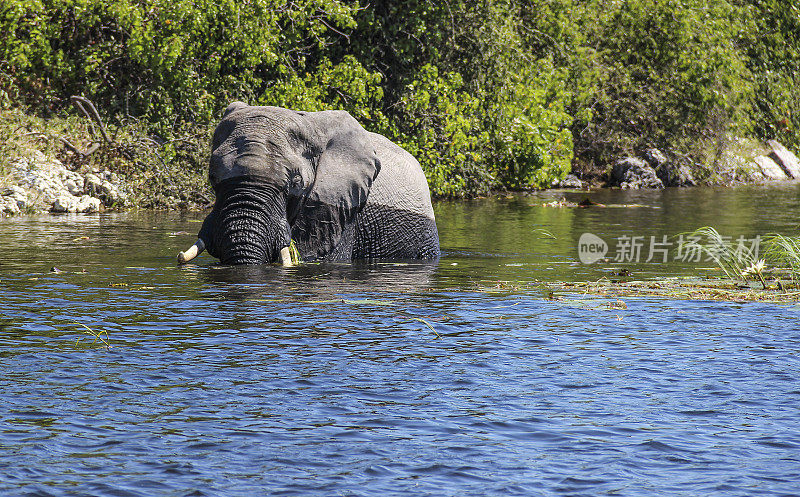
{"x":315,"y":179}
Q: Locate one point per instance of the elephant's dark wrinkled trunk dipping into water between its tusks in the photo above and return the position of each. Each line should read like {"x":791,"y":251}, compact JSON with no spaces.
{"x":252,"y":226}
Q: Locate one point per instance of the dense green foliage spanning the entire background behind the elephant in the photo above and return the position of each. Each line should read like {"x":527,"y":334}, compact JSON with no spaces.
{"x":486,"y":93}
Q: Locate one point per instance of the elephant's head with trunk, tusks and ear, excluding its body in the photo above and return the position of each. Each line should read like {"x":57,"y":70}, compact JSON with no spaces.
{"x":281,"y":175}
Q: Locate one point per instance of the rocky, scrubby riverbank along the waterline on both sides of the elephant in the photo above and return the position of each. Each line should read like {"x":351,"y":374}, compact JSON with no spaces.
{"x":76,"y":165}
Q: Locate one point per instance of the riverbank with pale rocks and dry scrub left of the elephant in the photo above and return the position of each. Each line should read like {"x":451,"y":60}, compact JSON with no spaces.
{"x":77,"y":165}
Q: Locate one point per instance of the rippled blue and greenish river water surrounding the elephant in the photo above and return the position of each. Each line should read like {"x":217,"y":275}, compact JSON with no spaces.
{"x":125,"y":375}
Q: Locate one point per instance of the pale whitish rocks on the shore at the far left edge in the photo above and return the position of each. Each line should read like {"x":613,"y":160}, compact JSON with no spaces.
{"x":38,"y":183}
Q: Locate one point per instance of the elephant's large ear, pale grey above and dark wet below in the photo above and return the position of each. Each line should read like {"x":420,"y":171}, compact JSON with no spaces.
{"x":345,"y":171}
